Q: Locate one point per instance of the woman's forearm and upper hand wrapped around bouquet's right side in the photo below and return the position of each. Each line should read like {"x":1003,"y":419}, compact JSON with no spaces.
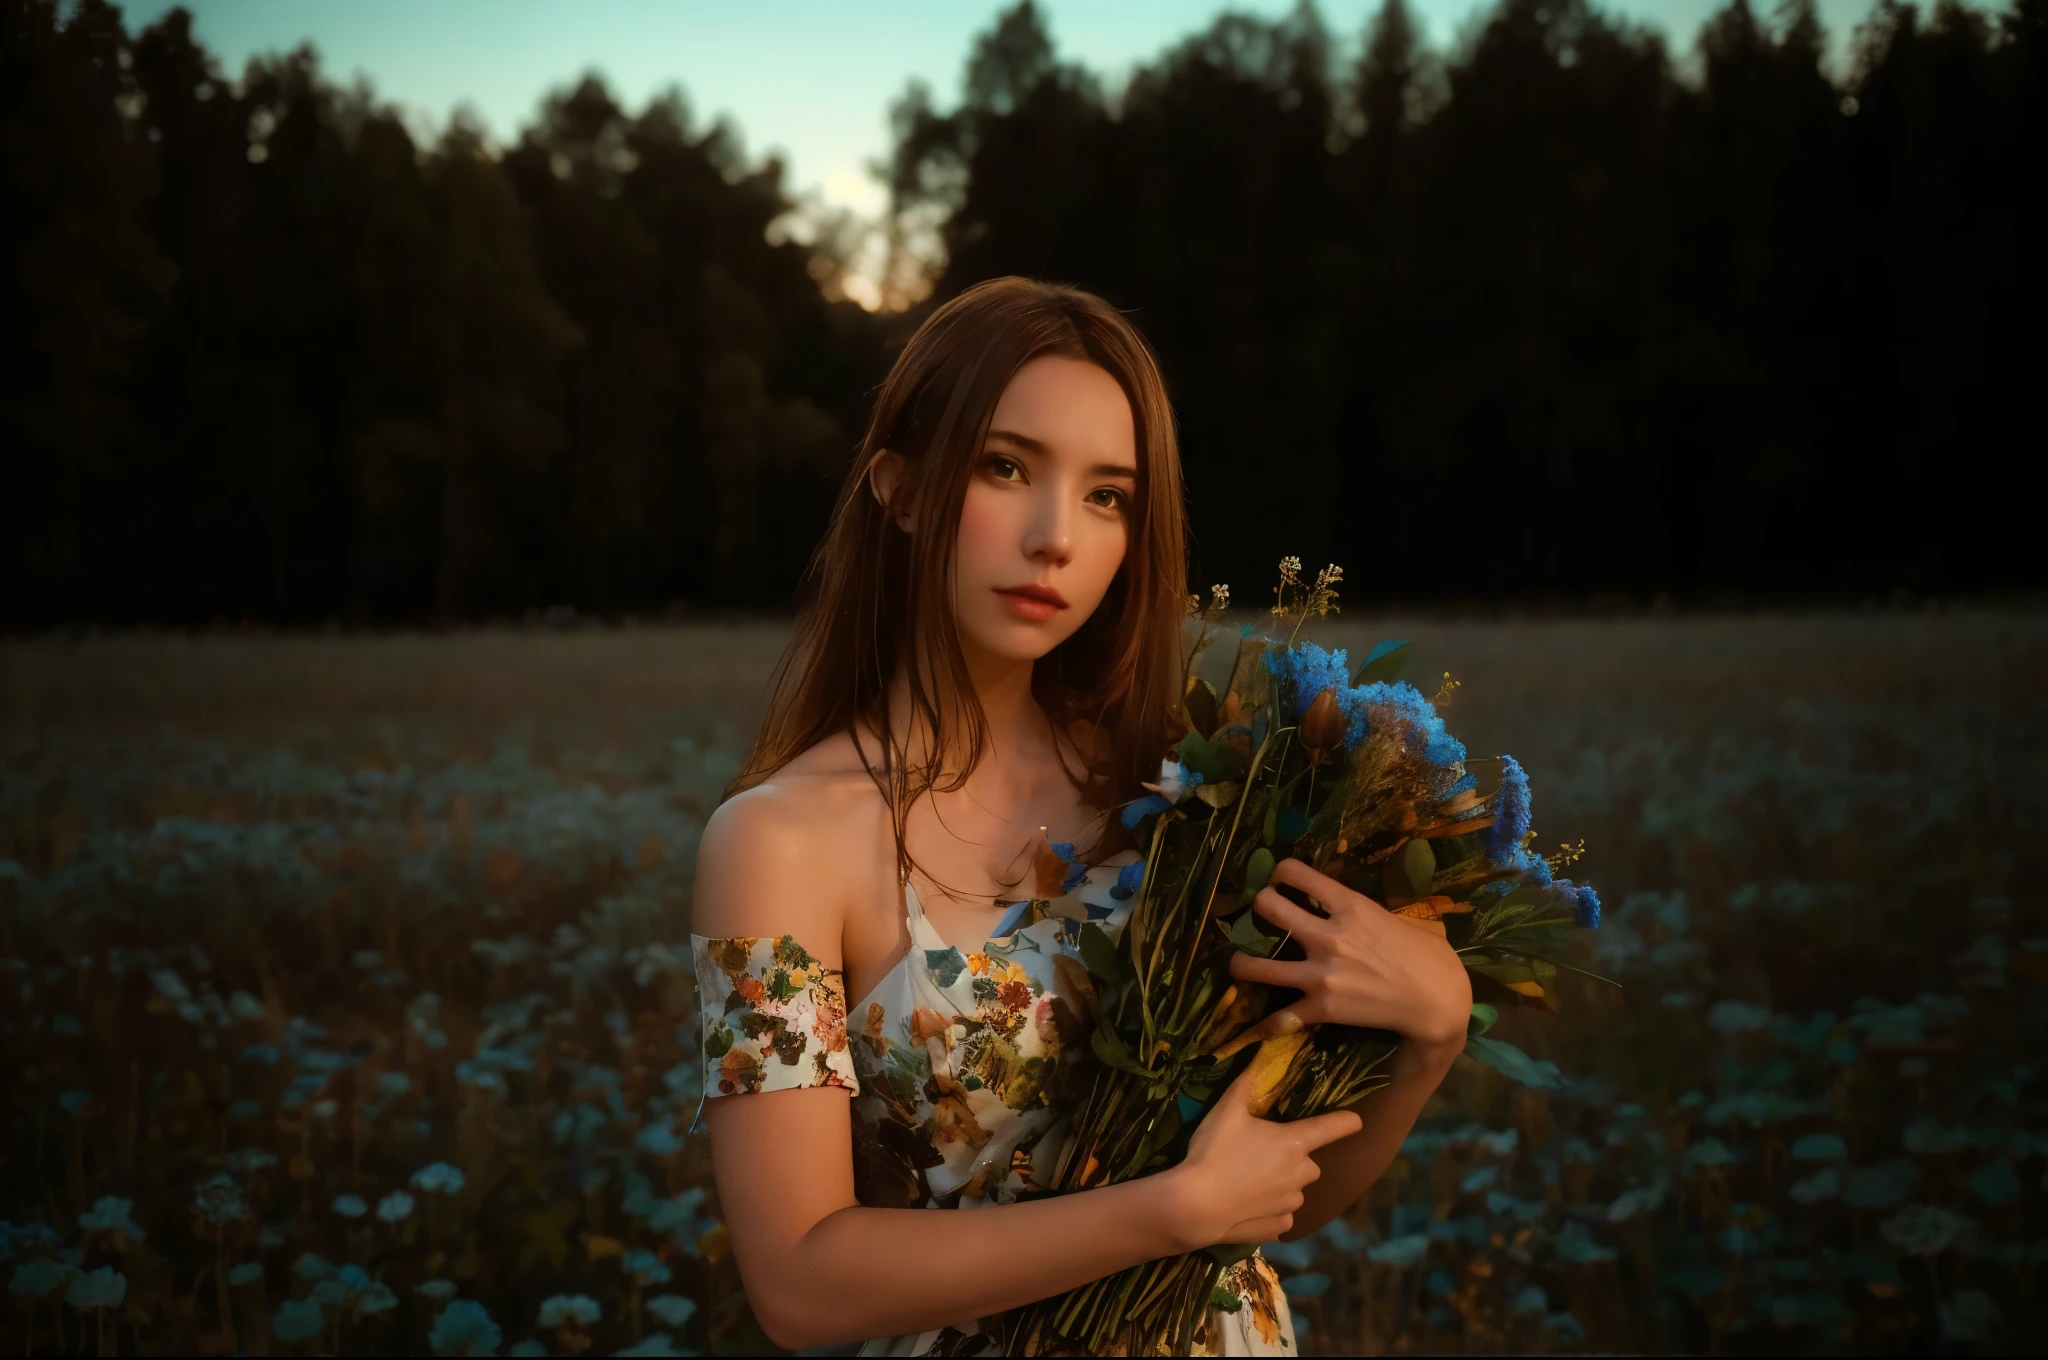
{"x":1371,"y":970}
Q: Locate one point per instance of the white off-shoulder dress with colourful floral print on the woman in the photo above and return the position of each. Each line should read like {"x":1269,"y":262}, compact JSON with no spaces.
{"x":949,"y":1062}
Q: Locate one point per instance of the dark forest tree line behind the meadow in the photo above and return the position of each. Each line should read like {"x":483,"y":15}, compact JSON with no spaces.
{"x":1553,"y":312}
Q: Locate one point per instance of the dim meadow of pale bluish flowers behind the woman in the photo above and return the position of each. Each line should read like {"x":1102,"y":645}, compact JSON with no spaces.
{"x":347,"y":996}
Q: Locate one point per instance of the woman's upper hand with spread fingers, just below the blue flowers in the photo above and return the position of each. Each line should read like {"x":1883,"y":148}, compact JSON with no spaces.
{"x":1365,"y":966}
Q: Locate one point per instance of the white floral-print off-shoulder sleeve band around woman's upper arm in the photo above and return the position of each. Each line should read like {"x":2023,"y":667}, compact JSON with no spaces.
{"x":775,"y":1017}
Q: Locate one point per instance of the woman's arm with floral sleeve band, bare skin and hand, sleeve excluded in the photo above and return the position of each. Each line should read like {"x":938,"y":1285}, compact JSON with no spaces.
{"x":822,"y":1269}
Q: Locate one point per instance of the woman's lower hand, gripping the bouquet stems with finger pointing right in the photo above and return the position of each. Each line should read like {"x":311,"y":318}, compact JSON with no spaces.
{"x":1244,"y":1177}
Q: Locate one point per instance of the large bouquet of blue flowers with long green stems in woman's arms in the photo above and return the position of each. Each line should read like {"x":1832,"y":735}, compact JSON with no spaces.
{"x":1355,"y":775}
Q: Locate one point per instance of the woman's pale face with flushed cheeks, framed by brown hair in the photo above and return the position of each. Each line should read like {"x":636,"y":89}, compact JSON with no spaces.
{"x":1048,"y":513}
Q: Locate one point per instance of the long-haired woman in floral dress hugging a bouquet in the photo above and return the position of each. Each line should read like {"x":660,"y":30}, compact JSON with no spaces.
{"x":990,"y":661}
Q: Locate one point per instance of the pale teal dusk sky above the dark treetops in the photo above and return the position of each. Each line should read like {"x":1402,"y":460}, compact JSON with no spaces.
{"x":808,"y":79}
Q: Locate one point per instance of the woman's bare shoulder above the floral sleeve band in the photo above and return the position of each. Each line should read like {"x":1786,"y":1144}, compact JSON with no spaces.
{"x":794,"y":853}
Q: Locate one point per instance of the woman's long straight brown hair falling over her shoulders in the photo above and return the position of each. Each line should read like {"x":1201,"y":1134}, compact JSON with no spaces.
{"x":878,"y":599}
